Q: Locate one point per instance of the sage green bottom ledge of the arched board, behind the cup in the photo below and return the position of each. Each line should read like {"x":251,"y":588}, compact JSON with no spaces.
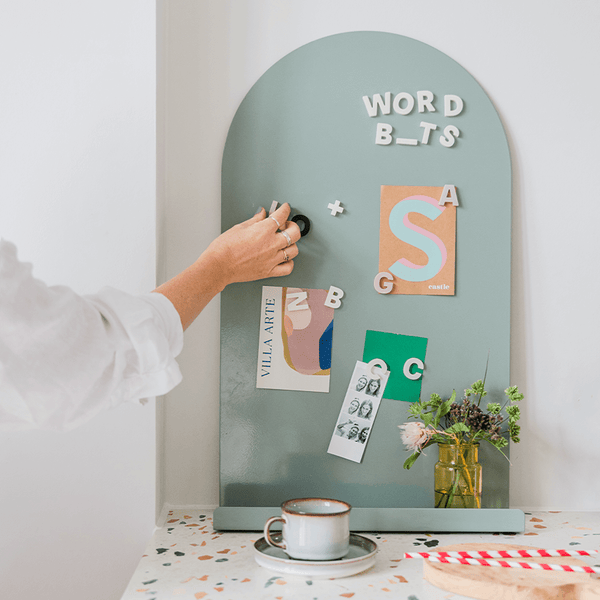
{"x":434,"y":520}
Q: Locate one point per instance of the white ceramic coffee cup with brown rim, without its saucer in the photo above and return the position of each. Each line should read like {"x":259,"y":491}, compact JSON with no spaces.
{"x":313,"y":528}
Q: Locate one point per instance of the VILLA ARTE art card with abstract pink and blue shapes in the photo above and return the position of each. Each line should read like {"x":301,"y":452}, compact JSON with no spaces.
{"x":296,"y":335}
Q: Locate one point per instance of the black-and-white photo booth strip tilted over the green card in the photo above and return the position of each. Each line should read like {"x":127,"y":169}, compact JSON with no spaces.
{"x":358,"y":412}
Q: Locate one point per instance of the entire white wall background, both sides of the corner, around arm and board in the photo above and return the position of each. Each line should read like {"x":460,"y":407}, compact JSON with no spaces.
{"x":77,"y":192}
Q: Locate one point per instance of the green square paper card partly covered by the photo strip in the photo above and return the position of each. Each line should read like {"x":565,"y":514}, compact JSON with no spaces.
{"x":395,"y":349}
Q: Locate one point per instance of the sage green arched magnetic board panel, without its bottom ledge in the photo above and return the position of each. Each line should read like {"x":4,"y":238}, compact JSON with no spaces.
{"x":302,"y":135}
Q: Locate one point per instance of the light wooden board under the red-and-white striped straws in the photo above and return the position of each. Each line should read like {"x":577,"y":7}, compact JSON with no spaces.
{"x":497,"y":583}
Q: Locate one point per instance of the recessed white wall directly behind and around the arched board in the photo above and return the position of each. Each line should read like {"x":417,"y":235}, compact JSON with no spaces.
{"x":538,"y":61}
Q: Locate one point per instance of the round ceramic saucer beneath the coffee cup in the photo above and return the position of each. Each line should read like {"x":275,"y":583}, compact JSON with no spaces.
{"x":360,"y":558}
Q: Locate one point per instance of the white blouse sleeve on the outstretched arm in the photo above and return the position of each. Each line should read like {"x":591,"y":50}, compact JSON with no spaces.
{"x":64,"y":357}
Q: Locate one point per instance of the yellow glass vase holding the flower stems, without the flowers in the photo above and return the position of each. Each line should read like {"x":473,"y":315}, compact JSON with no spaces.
{"x":458,"y":477}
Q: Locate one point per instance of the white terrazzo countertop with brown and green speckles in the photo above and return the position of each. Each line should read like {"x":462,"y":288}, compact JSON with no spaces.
{"x":187,"y":560}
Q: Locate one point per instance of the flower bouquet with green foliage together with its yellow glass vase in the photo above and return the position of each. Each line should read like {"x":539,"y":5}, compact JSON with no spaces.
{"x":458,"y":427}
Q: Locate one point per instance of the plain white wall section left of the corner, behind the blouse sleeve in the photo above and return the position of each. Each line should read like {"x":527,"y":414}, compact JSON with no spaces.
{"x":77,"y":196}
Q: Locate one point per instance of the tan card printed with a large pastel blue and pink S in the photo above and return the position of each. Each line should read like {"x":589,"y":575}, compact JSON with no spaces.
{"x":417,"y":240}
